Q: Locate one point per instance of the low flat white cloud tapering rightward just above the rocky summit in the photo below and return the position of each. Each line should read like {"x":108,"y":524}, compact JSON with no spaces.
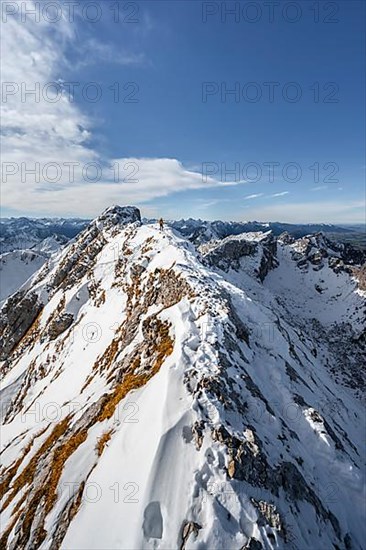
{"x":138,"y":181}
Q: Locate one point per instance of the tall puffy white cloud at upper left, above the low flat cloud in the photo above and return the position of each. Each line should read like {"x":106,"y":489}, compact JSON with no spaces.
{"x":35,"y":129}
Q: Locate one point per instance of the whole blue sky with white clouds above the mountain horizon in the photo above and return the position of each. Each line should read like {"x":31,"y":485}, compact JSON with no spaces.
{"x":175,"y":59}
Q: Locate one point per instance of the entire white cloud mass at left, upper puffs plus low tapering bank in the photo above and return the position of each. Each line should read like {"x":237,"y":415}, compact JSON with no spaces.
{"x":42,"y":131}
